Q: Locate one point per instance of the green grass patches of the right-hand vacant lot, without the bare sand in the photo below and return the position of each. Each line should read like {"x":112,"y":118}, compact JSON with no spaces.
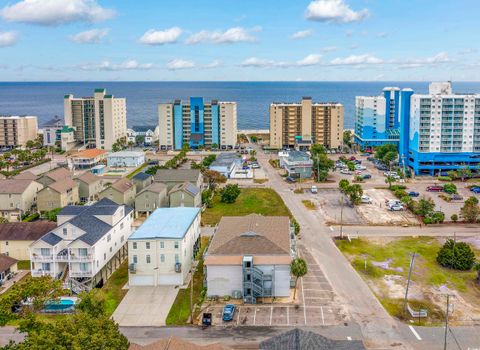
{"x":426,"y":273}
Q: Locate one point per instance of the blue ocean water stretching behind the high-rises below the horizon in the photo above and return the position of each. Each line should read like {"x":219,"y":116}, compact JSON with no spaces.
{"x":45,"y":99}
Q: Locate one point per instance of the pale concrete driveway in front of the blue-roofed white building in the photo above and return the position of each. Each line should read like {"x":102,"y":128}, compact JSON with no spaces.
{"x":145,"y":306}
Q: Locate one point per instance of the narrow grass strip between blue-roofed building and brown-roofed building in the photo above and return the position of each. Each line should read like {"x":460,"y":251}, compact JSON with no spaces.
{"x":180,"y":311}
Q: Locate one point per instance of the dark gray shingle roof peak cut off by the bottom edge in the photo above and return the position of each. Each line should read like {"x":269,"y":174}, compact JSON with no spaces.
{"x":298,"y":339}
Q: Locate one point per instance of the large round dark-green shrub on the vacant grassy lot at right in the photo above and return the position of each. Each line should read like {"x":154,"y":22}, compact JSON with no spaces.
{"x":456,"y":255}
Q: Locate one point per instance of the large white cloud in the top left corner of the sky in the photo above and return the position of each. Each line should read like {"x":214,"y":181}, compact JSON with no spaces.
{"x":55,"y":12}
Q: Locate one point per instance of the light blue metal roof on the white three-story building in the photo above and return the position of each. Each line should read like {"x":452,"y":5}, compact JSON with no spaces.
{"x":166,"y":223}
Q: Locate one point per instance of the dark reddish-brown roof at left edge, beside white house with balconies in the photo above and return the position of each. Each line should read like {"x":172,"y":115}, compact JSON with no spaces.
{"x":25,"y":231}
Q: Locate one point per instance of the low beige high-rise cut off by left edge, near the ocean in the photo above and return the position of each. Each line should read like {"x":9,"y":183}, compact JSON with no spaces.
{"x":15,"y":131}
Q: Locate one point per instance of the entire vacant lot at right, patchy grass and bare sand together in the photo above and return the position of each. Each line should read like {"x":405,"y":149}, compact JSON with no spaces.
{"x":384,"y":264}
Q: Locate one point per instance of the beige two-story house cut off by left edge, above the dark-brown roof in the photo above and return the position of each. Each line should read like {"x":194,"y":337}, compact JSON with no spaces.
{"x":17,"y":197}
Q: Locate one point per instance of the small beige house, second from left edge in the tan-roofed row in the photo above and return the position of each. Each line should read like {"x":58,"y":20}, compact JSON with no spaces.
{"x":58,"y":195}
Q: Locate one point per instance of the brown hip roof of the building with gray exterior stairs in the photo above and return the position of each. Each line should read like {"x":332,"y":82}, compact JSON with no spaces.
{"x":250,"y":235}
